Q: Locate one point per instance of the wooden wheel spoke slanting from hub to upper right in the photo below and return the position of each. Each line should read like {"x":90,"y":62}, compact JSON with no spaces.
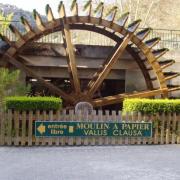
{"x":98,"y":78}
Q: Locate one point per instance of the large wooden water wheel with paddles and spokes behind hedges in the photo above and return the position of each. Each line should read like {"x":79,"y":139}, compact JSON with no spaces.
{"x":126,"y":38}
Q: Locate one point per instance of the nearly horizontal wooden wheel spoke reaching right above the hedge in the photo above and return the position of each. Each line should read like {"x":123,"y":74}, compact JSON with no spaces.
{"x":120,"y":97}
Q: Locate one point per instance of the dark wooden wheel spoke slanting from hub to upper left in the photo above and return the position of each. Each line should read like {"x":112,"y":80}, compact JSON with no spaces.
{"x":29,"y":72}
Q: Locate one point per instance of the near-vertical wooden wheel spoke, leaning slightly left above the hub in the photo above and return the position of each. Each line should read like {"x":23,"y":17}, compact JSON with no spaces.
{"x":71,"y":61}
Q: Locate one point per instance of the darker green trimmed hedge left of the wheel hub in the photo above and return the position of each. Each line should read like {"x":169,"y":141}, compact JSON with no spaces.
{"x":33,"y":103}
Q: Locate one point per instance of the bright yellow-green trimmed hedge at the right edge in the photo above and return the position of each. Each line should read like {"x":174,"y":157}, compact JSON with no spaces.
{"x":151,"y":106}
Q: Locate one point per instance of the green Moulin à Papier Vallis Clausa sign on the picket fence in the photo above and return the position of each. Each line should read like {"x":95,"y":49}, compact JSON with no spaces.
{"x":83,"y":129}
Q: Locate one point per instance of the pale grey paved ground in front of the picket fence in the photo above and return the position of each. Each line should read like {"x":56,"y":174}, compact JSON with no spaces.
{"x":91,"y":163}
